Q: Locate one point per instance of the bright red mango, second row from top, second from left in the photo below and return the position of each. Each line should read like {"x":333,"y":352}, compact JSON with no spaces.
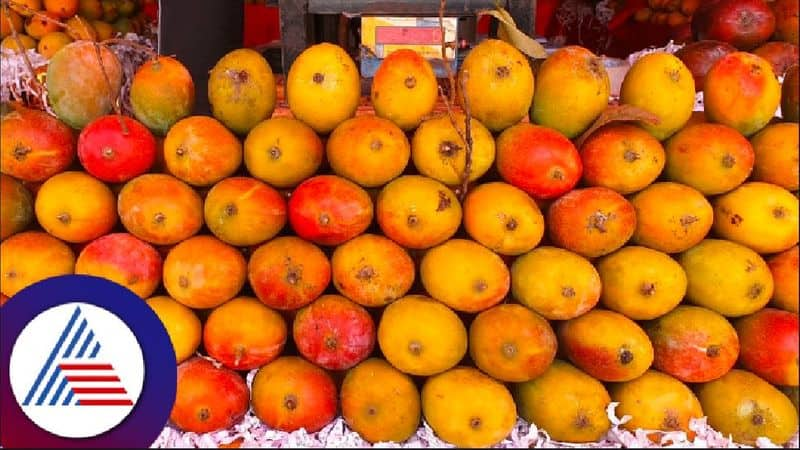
{"x":116,"y":149}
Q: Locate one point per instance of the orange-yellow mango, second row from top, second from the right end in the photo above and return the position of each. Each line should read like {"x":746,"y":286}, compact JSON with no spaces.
{"x":711,"y":158}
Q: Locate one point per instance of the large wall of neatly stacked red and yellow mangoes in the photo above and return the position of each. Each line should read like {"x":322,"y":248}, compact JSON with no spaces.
{"x":504,"y":258}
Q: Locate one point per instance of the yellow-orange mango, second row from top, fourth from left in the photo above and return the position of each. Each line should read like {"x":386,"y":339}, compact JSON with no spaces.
{"x":282,"y":152}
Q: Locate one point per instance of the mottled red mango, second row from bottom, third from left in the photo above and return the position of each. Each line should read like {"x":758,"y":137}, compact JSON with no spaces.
{"x":334,"y":332}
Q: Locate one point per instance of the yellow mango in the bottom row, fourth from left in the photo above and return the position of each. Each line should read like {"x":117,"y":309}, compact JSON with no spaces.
{"x":480,"y":419}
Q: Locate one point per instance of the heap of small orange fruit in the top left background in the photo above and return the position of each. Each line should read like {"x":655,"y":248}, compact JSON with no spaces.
{"x":49,"y":25}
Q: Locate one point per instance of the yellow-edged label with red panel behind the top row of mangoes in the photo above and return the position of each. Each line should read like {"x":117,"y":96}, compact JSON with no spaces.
{"x":384,"y":35}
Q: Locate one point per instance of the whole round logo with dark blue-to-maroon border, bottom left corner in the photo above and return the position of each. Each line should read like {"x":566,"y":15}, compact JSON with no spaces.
{"x":85,"y":364}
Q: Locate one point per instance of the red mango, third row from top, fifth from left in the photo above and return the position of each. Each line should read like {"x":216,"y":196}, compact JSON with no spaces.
{"x":329,"y":210}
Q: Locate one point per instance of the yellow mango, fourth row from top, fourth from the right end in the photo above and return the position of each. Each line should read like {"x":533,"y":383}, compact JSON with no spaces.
{"x":556,"y":283}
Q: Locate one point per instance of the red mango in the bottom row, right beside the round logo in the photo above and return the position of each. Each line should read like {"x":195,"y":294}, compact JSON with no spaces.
{"x":208,"y":398}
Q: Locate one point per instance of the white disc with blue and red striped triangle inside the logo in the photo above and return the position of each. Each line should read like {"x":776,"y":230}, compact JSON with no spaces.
{"x":76,"y":370}
